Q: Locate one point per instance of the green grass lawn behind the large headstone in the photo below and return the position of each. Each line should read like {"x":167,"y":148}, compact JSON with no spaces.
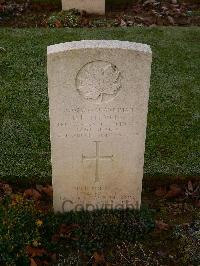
{"x":173,"y":133}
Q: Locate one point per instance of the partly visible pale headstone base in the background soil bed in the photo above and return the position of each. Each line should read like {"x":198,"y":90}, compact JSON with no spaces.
{"x":90,"y":6}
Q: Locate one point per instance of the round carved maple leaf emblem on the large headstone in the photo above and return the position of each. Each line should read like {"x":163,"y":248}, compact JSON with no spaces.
{"x":98,"y":81}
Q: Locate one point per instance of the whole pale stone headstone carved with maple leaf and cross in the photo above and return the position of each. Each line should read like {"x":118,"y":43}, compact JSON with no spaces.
{"x":98,"y":94}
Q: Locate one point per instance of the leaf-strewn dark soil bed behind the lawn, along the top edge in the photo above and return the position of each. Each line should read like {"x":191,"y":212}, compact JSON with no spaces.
{"x":148,"y":13}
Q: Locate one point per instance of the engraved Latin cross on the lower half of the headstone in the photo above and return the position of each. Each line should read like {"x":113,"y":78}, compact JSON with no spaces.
{"x":97,"y":158}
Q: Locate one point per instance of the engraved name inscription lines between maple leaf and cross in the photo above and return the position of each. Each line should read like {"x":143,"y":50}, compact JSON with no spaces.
{"x":96,"y":122}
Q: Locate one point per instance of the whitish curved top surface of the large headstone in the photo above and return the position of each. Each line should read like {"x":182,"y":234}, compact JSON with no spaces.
{"x":93,"y":44}
